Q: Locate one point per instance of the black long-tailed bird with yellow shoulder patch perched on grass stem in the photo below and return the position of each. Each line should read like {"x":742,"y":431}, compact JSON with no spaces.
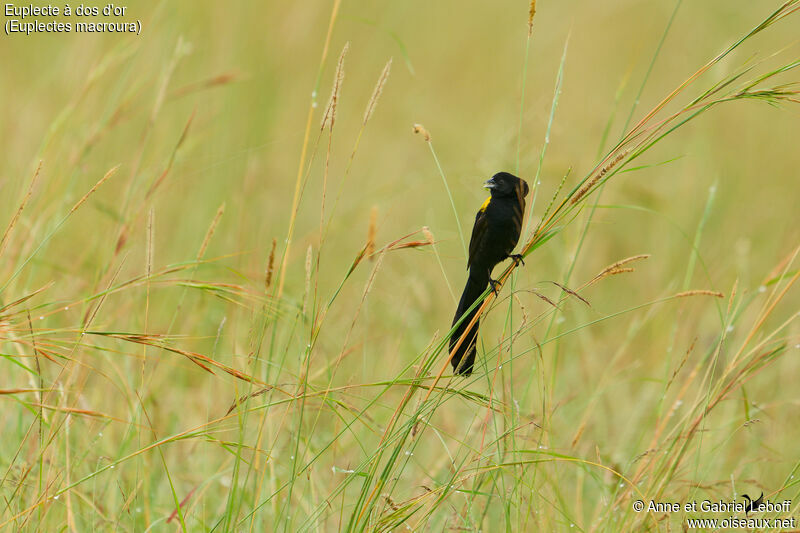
{"x":498,"y":225}
